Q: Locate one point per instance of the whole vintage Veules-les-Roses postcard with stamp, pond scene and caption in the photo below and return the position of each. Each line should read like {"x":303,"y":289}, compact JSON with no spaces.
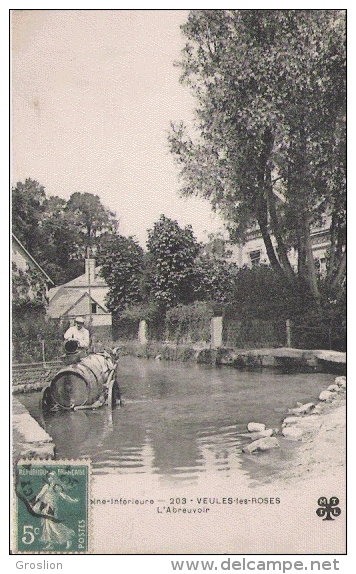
{"x":179,"y":290}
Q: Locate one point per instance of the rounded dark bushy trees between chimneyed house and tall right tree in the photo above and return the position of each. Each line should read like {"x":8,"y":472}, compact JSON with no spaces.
{"x":176,"y":270}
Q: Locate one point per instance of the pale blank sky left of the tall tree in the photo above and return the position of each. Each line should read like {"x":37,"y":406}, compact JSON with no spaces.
{"x":93,"y":94}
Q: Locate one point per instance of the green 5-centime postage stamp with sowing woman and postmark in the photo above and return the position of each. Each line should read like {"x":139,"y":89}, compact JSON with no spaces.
{"x":52,"y":501}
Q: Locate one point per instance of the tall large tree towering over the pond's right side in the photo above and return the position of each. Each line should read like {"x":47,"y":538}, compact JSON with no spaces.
{"x":268,"y":146}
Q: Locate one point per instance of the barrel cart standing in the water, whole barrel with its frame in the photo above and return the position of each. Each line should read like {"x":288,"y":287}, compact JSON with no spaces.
{"x":88,"y":382}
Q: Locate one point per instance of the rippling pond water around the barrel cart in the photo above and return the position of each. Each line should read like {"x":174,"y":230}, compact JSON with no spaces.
{"x":181,"y":420}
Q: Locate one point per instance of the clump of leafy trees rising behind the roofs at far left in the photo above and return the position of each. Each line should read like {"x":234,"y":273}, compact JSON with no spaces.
{"x":57,"y":232}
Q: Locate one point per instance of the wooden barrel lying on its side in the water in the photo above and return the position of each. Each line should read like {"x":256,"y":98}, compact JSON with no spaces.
{"x":82,"y":383}
